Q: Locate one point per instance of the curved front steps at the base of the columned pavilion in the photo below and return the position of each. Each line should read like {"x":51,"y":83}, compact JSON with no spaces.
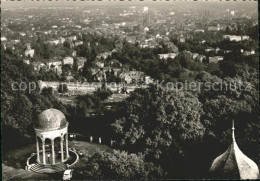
{"x":39,"y":168}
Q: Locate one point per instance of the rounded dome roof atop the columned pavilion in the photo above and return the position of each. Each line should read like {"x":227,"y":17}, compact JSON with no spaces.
{"x":51,"y":119}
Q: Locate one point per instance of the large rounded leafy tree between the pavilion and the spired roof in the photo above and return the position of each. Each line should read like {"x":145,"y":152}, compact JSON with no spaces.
{"x":159,"y":123}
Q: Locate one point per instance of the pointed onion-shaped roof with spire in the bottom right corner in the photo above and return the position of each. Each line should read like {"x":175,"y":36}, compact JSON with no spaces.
{"x":233,"y":164}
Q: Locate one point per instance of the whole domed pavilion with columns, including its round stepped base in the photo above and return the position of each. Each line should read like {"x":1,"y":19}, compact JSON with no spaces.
{"x":52,"y":149}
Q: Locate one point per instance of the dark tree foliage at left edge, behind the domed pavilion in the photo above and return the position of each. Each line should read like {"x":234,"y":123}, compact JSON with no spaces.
{"x":20,"y":105}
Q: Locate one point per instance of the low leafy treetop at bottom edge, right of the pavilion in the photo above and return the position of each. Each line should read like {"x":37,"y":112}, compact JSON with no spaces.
{"x":117,"y":165}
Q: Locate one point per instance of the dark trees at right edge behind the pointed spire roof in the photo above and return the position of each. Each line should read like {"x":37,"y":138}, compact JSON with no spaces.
{"x":231,"y":99}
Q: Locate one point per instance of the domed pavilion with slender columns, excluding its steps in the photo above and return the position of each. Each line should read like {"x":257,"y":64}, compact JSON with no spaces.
{"x":51,"y":130}
